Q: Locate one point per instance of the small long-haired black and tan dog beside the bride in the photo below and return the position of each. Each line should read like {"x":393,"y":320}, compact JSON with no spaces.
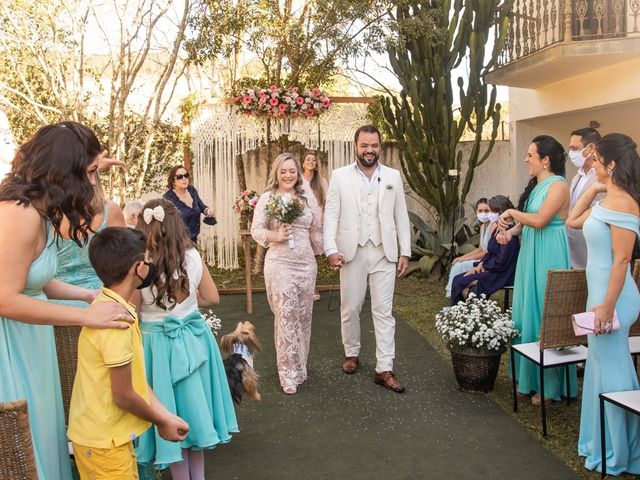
{"x":239,"y":346}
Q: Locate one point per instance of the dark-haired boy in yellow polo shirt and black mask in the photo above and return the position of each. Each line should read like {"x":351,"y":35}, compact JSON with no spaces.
{"x":111,"y":403}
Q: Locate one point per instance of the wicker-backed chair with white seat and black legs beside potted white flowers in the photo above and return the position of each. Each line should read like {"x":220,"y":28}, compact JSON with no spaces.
{"x":566,"y":294}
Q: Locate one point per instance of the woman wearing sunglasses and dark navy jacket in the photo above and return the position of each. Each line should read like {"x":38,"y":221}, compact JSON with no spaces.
{"x":185,"y":197}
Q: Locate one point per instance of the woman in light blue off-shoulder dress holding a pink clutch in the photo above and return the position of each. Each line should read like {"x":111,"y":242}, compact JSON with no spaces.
{"x":610,"y":229}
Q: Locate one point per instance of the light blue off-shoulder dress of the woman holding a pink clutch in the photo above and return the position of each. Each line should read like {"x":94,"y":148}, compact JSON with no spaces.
{"x":609,"y":366}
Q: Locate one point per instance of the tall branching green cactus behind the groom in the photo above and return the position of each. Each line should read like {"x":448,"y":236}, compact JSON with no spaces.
{"x":422,"y":117}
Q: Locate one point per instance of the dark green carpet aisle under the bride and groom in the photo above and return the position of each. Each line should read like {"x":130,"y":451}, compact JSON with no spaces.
{"x":345,"y":427}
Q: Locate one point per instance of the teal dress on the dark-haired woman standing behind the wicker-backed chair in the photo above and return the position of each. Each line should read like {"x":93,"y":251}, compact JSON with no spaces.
{"x":541,"y":249}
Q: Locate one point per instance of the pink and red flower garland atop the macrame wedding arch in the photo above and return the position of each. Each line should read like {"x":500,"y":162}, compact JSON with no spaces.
{"x":279,"y":102}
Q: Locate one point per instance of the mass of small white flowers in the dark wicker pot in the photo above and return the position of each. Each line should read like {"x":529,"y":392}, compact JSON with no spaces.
{"x":476,"y":323}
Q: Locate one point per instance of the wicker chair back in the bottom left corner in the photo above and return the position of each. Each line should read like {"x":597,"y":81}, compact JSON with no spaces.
{"x":17,"y":459}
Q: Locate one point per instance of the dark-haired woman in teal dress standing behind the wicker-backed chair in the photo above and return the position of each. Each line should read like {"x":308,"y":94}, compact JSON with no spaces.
{"x":540,"y":219}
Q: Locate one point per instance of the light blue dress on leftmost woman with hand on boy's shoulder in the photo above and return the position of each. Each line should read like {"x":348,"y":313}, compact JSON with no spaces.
{"x":30,"y":371}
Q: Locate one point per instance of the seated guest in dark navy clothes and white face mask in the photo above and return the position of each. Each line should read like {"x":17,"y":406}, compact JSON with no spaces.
{"x":497,"y":268}
